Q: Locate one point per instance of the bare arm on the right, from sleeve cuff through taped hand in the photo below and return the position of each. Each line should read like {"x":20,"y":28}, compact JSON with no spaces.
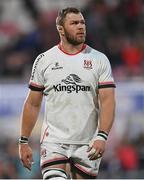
{"x":107,"y":110}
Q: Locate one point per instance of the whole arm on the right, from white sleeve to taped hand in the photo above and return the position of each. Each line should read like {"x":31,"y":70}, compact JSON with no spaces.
{"x":106,"y":95}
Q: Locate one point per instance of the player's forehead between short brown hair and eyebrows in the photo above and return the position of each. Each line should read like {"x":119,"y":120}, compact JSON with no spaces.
{"x":74,"y":17}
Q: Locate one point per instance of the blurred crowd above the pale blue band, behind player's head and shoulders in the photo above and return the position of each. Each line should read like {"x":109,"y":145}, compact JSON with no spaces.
{"x":113,"y":27}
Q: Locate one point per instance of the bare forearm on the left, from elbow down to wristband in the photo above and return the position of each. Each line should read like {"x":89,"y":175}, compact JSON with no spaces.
{"x":29,"y":118}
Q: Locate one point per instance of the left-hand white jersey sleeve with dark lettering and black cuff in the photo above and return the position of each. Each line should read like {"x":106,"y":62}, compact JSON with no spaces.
{"x":36,"y":82}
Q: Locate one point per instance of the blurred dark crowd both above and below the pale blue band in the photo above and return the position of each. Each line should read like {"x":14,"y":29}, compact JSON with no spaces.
{"x":114,"y":27}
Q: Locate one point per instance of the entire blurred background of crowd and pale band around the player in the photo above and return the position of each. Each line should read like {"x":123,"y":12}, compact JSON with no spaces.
{"x":116,"y":28}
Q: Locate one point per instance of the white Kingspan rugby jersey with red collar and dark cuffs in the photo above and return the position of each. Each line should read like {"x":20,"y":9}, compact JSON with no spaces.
{"x":69,"y":83}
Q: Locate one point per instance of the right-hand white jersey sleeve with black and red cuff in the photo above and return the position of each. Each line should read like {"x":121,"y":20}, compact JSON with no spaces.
{"x":105,"y":74}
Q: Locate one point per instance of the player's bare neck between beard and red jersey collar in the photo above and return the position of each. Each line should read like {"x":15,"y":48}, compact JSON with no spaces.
{"x":69,"y":48}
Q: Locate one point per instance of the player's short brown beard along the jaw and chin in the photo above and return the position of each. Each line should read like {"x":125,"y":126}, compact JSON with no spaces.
{"x":73,"y":40}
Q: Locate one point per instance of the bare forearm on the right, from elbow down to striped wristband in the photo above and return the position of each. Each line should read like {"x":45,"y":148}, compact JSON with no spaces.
{"x":107,"y":112}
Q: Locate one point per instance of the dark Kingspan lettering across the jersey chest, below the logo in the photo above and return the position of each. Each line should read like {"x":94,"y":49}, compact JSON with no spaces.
{"x":70,"y":88}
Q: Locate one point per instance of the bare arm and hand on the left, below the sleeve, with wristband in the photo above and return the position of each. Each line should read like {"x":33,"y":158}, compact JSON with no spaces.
{"x":29,"y":117}
